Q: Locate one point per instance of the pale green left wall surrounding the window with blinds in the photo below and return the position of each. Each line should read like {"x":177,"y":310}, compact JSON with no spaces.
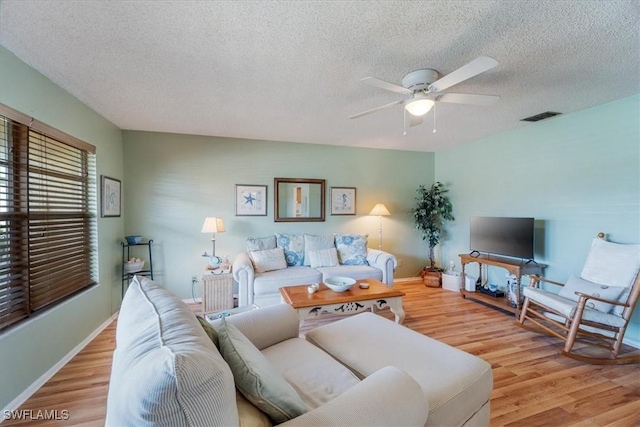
{"x":29,"y":350}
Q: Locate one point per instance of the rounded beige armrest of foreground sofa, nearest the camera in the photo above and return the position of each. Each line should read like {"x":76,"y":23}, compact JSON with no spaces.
{"x":388,"y":397}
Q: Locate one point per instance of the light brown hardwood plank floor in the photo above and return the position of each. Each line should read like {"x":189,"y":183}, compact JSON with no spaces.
{"x":533,"y":385}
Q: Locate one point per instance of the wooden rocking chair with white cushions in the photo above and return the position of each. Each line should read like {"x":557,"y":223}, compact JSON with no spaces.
{"x":593,"y":309}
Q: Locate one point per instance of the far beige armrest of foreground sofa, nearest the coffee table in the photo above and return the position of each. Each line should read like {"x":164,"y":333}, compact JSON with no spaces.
{"x":266,"y":326}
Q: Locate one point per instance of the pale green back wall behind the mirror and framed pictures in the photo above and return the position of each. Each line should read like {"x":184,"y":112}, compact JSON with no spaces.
{"x":174,"y":181}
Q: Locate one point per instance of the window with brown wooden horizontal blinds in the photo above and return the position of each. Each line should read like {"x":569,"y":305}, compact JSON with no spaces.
{"x":47,"y":216}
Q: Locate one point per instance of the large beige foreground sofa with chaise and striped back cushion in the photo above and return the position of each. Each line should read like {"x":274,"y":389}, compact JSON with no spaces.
{"x":363,"y":370}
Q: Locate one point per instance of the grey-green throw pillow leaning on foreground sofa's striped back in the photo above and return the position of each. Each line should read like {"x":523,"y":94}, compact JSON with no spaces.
{"x":256,"y":378}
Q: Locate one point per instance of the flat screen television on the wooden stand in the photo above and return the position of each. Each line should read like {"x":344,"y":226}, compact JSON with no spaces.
{"x":507,"y":236}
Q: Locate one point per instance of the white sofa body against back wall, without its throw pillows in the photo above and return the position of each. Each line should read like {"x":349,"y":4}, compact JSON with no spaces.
{"x":262,"y":288}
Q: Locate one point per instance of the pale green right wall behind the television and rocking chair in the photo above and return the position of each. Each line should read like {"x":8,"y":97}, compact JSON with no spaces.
{"x":577,"y":174}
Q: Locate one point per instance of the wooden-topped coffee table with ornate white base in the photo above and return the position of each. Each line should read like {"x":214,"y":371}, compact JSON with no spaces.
{"x":352,"y":301}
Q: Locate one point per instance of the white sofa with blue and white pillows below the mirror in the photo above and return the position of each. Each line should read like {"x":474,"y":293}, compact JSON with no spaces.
{"x":261,"y":286}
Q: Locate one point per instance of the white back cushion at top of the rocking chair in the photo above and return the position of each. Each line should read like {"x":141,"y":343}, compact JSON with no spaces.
{"x":612,"y":264}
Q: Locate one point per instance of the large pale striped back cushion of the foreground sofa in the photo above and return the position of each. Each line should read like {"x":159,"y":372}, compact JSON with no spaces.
{"x":166,"y":371}
